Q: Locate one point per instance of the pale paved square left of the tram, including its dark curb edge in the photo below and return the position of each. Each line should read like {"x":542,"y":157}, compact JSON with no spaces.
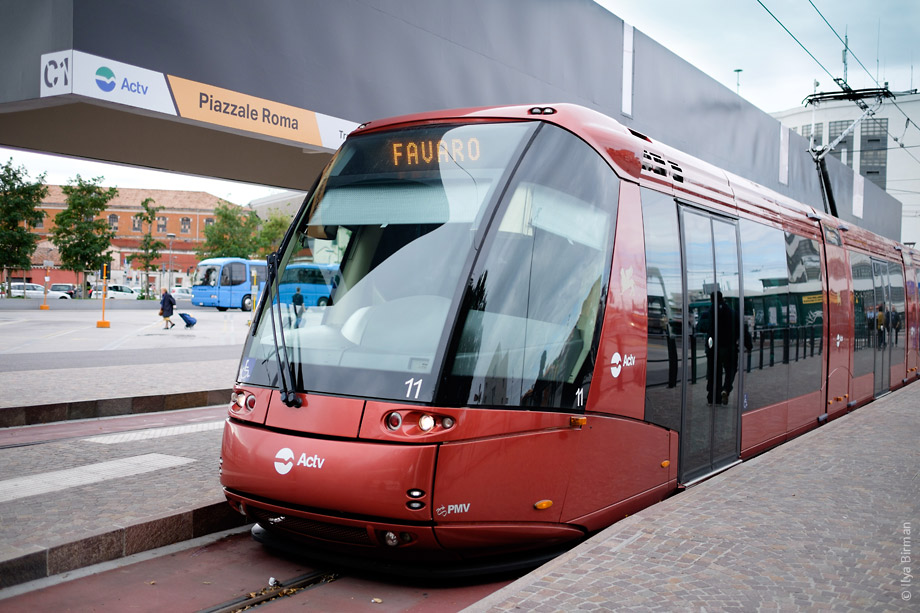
{"x":58,"y":364}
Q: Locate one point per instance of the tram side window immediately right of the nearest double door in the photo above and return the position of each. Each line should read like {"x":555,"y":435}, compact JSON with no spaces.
{"x":765,"y":337}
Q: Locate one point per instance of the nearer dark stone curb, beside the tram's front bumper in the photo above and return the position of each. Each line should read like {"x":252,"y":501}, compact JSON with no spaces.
{"x":119,"y":543}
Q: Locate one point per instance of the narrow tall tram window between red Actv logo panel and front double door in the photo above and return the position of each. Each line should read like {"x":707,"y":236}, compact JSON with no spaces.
{"x":664,"y":283}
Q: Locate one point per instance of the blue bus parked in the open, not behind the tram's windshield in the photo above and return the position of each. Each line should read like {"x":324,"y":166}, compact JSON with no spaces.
{"x":228,"y":283}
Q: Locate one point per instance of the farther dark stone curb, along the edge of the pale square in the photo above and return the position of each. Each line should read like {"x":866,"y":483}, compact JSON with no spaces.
{"x":108,"y":407}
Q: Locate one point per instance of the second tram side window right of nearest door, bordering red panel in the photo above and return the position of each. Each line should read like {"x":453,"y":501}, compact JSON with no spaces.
{"x":805,"y":315}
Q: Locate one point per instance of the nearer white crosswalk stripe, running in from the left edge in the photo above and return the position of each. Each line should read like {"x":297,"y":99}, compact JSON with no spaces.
{"x":44,"y":483}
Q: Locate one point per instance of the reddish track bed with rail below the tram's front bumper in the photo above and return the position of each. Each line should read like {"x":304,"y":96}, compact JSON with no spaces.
{"x":233,"y":573}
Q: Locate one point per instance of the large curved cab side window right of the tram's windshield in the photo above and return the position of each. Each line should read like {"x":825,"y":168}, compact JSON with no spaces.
{"x":530,"y":317}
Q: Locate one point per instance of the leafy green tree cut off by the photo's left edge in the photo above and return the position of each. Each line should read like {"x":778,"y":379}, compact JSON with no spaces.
{"x":19,"y":213}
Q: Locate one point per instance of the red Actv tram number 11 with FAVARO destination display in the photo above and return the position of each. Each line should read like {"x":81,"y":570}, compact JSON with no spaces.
{"x":541,"y":321}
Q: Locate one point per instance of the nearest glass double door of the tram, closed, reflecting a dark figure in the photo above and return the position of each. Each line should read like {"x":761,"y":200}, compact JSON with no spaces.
{"x":710,"y":437}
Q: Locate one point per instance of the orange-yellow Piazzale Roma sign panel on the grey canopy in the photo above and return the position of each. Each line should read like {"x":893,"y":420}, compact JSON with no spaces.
{"x":231,"y":109}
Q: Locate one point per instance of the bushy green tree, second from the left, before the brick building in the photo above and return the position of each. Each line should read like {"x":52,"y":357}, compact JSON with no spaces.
{"x":81,"y":238}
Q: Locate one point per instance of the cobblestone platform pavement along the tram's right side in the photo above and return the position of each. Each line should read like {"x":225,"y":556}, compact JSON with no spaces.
{"x":826,"y":522}
